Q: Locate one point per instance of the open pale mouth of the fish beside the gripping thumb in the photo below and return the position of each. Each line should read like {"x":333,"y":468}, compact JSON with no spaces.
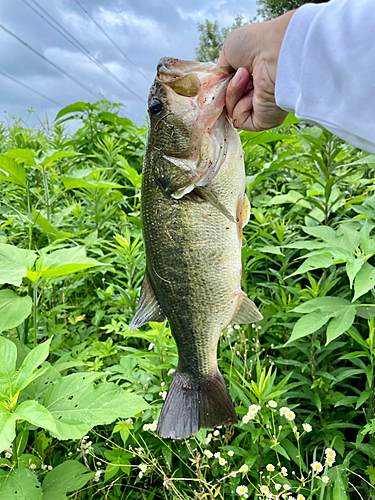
{"x":204,"y":83}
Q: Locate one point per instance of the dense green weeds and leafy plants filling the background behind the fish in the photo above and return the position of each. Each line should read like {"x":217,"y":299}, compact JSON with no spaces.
{"x":80,"y":394}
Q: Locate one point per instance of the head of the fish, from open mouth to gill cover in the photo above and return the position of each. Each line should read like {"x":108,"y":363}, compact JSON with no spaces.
{"x":186,"y":108}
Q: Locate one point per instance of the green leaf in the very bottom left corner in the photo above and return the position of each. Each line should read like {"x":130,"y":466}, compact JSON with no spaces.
{"x":19,"y":484}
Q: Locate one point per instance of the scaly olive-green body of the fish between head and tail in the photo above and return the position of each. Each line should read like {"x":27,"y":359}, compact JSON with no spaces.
{"x":194,"y":262}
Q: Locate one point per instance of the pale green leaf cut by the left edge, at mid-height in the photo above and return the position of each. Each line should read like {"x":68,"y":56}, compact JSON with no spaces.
{"x":13,"y":263}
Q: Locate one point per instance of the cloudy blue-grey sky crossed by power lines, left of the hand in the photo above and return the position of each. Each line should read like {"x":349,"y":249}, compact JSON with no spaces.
{"x":144,"y":30}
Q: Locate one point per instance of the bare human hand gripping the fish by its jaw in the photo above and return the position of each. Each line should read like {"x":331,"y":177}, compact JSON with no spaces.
{"x":253,"y":51}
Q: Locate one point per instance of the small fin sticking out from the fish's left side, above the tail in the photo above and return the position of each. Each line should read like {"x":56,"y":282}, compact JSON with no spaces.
{"x":148,"y":307}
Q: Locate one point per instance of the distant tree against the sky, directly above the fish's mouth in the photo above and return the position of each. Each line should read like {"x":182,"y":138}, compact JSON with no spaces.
{"x":212,"y":37}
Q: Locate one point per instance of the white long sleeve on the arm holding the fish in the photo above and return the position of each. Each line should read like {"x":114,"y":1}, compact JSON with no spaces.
{"x":326,"y":69}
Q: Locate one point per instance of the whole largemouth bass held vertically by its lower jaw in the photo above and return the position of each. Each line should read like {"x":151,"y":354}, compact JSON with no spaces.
{"x":194,"y":206}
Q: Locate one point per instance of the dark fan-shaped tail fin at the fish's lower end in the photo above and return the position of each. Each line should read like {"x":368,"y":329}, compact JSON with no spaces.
{"x":192,"y":404}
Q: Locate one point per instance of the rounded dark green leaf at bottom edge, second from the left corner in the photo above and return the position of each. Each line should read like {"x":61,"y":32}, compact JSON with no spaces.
{"x":65,"y":478}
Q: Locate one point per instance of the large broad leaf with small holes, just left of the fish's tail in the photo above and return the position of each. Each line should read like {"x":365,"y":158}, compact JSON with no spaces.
{"x":77,"y":405}
